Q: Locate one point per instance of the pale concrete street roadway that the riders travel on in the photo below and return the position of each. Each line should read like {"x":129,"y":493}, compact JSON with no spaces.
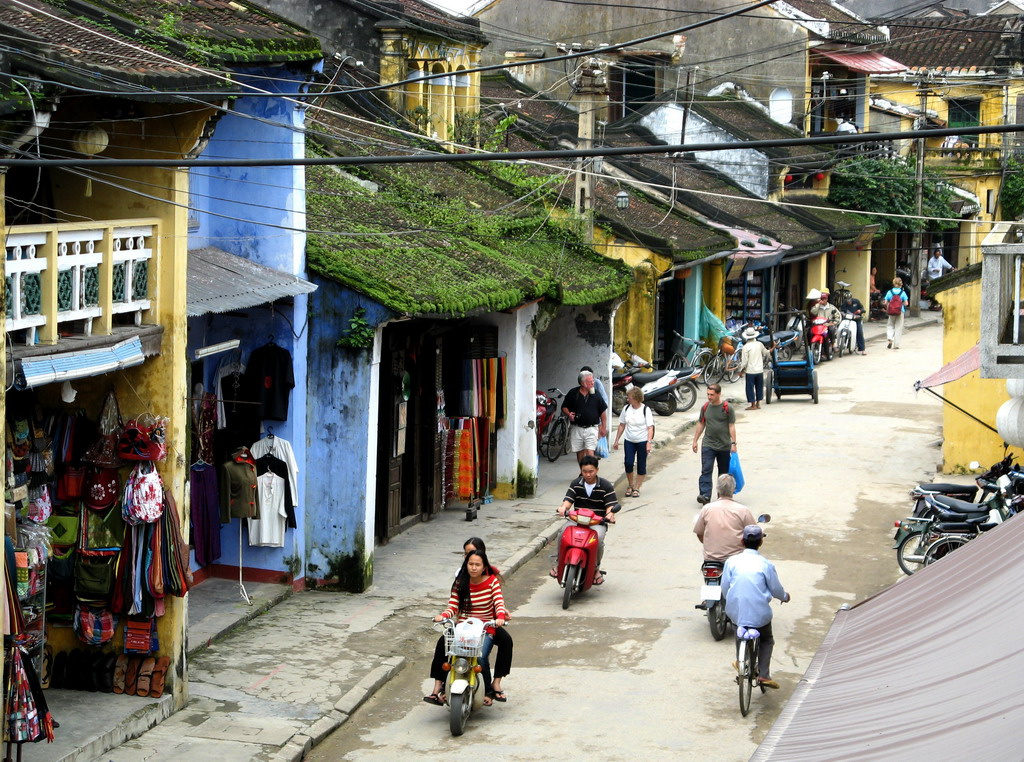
{"x":631,"y":669}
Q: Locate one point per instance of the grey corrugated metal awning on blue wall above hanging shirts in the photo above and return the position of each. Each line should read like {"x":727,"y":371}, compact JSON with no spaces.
{"x":220,"y":282}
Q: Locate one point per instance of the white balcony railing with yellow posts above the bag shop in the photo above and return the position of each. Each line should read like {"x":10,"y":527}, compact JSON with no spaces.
{"x":79,"y":272}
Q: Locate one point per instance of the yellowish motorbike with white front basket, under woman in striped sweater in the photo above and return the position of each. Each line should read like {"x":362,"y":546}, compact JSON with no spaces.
{"x":464,"y":690}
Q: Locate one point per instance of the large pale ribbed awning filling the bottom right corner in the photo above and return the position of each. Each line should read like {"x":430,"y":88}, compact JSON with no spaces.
{"x":930,"y":668}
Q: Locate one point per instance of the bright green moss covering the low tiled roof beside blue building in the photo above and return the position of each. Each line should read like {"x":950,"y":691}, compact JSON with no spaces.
{"x":422,"y":253}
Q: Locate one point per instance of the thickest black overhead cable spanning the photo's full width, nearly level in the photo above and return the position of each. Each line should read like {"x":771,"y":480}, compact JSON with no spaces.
{"x":432,"y":158}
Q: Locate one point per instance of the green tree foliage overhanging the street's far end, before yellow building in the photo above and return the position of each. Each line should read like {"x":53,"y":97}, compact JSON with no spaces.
{"x":888,"y":186}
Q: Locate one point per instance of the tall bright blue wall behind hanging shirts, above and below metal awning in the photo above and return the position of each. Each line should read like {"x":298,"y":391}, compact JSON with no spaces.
{"x":260,"y":214}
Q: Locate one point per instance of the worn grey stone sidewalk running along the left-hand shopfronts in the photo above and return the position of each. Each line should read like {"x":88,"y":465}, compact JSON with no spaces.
{"x":276,"y":686}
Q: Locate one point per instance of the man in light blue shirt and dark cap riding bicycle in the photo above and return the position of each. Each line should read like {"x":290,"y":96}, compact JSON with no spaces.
{"x":749,"y":584}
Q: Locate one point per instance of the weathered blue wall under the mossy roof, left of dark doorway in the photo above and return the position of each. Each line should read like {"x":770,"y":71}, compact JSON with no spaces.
{"x":342,"y":410}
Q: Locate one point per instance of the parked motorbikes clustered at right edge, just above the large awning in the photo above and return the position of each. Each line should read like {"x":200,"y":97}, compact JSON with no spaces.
{"x":948,"y":516}
